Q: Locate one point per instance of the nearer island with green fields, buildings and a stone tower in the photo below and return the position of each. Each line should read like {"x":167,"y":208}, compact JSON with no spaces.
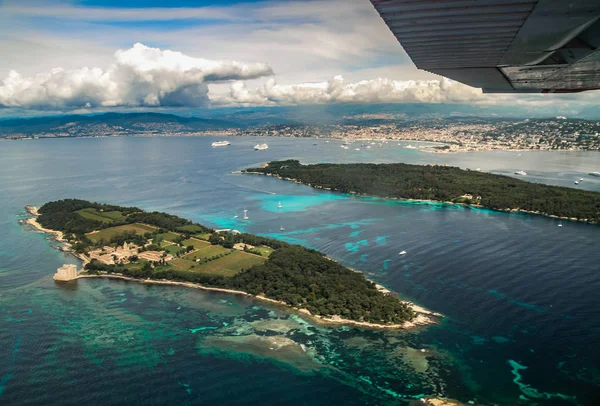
{"x":154,"y":247}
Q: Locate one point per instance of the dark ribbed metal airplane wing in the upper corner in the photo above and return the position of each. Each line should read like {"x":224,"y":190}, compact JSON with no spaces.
{"x":502,"y":46}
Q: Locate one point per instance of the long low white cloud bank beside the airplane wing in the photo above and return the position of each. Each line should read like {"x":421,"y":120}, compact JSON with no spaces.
{"x":380,"y":90}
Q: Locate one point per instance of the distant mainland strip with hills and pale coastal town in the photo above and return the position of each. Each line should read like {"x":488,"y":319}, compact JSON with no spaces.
{"x":449,"y":135}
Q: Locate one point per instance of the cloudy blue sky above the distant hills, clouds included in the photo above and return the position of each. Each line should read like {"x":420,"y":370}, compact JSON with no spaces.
{"x":99,"y":55}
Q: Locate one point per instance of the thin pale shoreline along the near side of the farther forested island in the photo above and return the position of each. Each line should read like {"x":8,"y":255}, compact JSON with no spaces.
{"x":477,"y":206}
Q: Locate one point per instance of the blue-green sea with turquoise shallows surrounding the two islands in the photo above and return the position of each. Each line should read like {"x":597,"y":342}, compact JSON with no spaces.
{"x":519,"y":295}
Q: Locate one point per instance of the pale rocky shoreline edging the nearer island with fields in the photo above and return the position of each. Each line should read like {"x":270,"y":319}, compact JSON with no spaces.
{"x":423,"y":317}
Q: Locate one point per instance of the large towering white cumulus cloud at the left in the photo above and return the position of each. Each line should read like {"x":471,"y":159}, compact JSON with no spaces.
{"x":140,"y":76}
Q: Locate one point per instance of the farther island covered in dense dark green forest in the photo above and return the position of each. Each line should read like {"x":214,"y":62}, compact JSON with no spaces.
{"x":444,"y":184}
